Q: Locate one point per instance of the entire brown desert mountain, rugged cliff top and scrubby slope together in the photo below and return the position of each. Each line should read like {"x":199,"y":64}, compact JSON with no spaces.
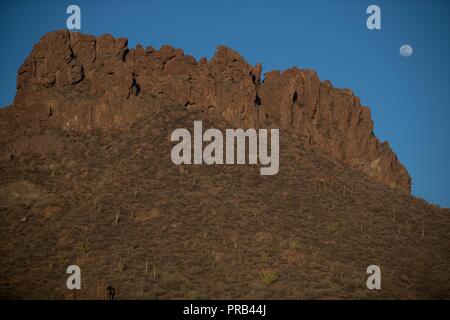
{"x":86,"y":178}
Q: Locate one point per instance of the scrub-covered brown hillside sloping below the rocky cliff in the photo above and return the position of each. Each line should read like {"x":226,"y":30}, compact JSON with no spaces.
{"x":115,"y":205}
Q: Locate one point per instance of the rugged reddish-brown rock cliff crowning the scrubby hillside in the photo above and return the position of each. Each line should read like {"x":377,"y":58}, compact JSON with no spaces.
{"x":81,"y":82}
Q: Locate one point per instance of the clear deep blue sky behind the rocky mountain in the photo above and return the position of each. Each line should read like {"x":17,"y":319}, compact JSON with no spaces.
{"x":409,"y":97}
